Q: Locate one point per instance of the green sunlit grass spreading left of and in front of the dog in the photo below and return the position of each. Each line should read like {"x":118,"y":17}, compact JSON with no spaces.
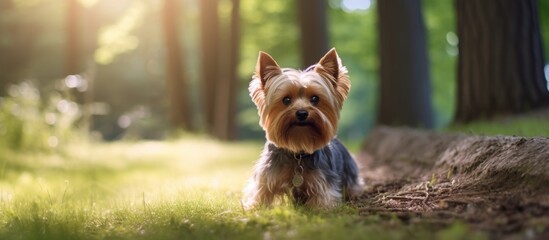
{"x":180,"y":189}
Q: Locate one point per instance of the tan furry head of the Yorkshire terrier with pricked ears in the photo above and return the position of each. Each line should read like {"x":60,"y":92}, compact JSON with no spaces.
{"x":328,"y":81}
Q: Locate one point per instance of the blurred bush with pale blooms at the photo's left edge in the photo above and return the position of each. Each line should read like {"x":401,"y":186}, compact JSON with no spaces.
{"x":33,"y":122}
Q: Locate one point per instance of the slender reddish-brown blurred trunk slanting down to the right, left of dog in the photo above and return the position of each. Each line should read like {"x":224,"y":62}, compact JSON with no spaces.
{"x":179,"y":99}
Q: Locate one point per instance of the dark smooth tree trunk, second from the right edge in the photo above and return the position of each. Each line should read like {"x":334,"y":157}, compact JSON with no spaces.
{"x":405,"y":91}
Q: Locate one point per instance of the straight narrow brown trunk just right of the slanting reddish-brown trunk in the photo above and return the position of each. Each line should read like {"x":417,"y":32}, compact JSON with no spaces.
{"x":210,"y":66}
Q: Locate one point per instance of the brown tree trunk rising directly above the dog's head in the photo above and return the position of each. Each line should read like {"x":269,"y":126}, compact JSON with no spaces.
{"x":314,"y":34}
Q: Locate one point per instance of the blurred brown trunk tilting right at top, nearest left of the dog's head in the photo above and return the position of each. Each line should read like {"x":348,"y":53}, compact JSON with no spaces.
{"x":227,"y":88}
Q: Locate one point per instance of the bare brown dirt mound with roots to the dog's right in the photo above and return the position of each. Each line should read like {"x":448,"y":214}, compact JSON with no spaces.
{"x":495,"y":184}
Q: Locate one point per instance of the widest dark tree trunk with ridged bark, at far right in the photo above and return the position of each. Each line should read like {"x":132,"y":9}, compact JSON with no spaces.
{"x":500,"y":66}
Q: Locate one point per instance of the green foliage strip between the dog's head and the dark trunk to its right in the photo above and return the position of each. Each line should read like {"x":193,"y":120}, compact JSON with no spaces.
{"x":353,"y":33}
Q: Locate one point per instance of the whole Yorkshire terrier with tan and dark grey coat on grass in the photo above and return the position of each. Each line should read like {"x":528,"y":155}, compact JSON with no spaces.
{"x":299,"y":111}
